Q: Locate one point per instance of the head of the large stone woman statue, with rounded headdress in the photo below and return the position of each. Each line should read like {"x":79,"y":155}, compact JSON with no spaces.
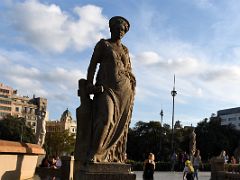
{"x":118,"y":26}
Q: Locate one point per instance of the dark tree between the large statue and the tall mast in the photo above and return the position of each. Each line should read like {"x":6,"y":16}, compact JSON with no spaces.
{"x":146,"y":137}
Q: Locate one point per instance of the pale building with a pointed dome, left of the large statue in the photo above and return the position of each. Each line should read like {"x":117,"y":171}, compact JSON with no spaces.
{"x":66,"y":122}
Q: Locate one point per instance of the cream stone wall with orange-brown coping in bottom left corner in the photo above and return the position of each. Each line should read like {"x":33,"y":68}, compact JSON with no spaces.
{"x":18,"y":160}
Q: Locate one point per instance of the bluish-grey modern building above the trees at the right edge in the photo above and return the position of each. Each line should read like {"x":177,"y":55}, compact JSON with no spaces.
{"x":230,"y":116}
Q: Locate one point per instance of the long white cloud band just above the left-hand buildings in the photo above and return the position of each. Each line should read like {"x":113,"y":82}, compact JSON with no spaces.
{"x":42,"y":81}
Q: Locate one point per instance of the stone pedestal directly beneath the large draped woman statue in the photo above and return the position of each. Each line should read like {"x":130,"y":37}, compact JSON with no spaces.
{"x":103,"y":171}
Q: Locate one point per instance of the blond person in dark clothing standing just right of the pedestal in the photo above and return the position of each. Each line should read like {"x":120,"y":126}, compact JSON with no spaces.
{"x":149,"y":167}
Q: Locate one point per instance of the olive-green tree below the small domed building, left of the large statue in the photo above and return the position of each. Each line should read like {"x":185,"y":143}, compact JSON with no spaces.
{"x":59,"y":143}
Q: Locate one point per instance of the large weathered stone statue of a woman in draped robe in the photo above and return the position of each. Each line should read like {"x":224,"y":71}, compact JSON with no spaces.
{"x":113,"y":100}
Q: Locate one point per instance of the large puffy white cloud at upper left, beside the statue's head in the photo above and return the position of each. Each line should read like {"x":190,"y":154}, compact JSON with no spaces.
{"x":49,"y":29}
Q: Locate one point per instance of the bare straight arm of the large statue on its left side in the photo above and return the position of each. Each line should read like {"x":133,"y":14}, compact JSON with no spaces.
{"x":93,"y":63}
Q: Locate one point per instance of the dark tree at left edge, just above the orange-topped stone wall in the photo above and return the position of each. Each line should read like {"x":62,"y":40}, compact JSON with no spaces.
{"x":15,"y":129}
